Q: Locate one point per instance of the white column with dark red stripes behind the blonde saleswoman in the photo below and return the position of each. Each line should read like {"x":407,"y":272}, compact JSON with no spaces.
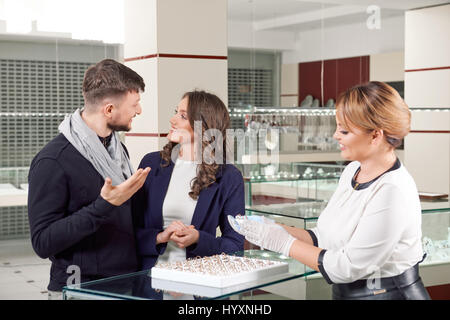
{"x":427,"y":84}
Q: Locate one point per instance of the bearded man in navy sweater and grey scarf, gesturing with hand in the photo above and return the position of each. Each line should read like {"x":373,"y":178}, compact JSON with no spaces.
{"x":80,"y":183}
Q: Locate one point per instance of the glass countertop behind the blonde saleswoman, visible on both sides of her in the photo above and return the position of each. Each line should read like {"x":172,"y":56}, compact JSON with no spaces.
{"x":311,"y":210}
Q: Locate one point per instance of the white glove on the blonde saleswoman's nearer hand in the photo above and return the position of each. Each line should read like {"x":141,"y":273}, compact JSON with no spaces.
{"x":267,"y":235}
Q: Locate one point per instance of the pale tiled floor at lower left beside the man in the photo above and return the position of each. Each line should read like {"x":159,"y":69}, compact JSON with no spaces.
{"x":23,"y":275}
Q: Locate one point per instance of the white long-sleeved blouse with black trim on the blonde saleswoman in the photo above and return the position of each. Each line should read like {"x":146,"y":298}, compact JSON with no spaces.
{"x":373,"y":232}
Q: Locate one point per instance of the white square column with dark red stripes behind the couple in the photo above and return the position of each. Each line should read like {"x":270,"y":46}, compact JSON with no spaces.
{"x":176,"y":46}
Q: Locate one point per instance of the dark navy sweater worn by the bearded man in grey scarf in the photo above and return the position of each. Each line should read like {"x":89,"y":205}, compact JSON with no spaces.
{"x":70,"y":223}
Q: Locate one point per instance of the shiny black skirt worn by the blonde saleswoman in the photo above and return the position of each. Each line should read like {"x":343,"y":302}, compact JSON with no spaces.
{"x":406,"y":286}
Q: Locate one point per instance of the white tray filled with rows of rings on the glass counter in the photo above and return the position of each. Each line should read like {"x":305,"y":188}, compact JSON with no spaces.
{"x":218,"y":271}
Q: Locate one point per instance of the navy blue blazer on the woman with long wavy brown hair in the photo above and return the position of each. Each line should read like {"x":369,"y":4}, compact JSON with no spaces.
{"x":222,"y":198}
